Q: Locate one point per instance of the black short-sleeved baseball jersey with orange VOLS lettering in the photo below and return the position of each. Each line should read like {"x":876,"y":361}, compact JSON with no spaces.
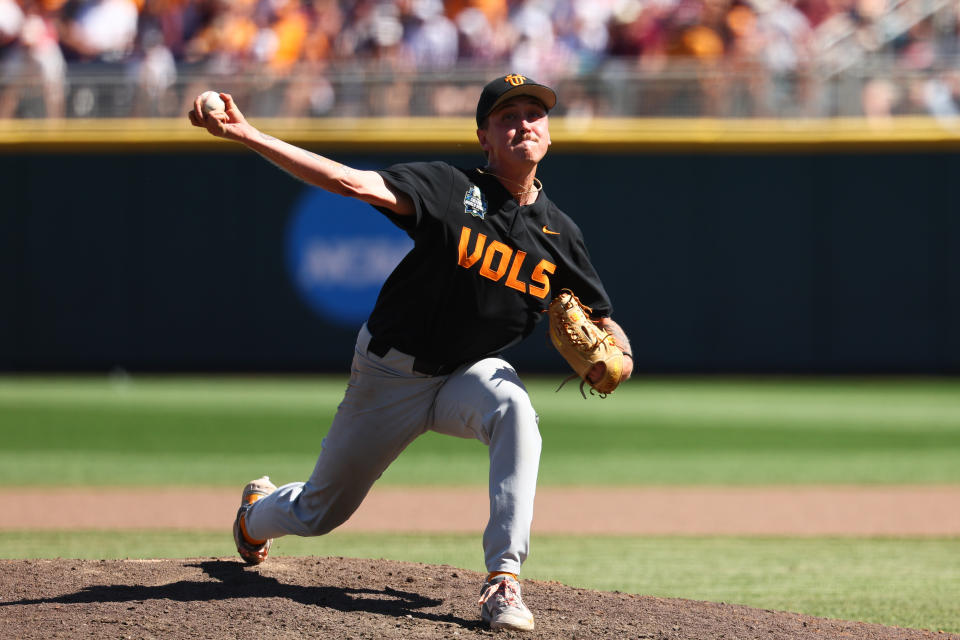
{"x":482,"y":270}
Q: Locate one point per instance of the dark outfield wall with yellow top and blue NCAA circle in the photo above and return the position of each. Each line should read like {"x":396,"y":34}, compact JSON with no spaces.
{"x":733,"y":249}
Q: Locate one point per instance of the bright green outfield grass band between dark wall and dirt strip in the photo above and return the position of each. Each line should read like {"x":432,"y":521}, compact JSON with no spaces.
{"x":155,"y":431}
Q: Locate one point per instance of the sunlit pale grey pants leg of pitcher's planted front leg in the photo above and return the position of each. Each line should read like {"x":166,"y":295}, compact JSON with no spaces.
{"x":487,"y":401}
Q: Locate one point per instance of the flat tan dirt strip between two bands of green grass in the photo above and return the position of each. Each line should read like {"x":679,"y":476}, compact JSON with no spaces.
{"x":795,"y":511}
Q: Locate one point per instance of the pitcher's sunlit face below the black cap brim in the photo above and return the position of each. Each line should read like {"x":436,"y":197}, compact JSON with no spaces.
{"x":517,"y":131}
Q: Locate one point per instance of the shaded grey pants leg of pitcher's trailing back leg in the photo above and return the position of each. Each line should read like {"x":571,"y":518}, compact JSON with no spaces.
{"x":386,"y":406}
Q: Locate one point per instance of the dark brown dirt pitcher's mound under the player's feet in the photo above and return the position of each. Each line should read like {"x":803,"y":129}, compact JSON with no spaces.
{"x":299,"y":598}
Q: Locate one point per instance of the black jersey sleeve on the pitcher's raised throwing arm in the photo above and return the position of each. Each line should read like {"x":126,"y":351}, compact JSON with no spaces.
{"x":428,"y":184}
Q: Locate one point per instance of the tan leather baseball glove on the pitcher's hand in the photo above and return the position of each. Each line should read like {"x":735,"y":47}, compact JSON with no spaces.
{"x":583,"y":344}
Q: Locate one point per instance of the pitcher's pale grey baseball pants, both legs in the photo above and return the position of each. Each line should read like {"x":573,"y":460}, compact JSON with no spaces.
{"x":386,"y":406}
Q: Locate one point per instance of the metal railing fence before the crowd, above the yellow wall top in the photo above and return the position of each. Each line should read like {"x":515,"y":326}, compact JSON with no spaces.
{"x":877,"y":86}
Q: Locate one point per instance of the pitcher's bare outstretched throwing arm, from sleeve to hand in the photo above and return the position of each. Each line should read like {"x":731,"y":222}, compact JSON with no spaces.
{"x":368,"y":186}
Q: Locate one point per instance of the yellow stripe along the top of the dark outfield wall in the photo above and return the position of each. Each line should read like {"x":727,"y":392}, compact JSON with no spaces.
{"x":570,"y":135}
